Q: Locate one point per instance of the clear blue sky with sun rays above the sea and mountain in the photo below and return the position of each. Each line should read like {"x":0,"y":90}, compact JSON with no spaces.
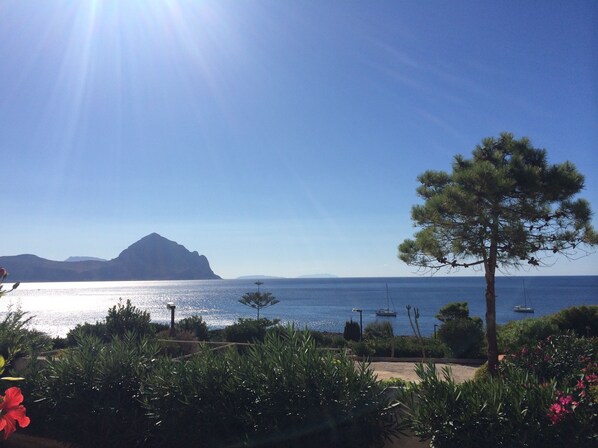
{"x":275,"y":137}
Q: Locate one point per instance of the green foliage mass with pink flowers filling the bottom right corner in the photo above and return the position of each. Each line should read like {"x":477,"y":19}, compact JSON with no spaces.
{"x":543,"y":396}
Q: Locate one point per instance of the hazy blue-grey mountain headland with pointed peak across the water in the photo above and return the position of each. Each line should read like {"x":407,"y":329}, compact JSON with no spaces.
{"x":151,"y":258}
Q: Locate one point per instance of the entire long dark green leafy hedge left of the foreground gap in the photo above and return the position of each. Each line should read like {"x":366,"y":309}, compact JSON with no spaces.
{"x":281,"y":392}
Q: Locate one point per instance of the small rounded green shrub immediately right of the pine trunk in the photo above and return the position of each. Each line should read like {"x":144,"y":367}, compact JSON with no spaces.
{"x":525,"y":333}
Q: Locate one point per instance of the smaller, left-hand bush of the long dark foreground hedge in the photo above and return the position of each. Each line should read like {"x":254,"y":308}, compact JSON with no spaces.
{"x":90,"y":396}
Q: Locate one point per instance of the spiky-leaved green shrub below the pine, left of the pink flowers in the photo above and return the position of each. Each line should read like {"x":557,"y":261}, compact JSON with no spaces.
{"x":509,"y":411}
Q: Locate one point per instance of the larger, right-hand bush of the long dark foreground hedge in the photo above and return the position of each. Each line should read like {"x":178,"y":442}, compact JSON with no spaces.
{"x":283,"y":392}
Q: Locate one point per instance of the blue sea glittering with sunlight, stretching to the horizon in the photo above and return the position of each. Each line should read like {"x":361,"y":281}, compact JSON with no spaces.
{"x":323,"y":304}
